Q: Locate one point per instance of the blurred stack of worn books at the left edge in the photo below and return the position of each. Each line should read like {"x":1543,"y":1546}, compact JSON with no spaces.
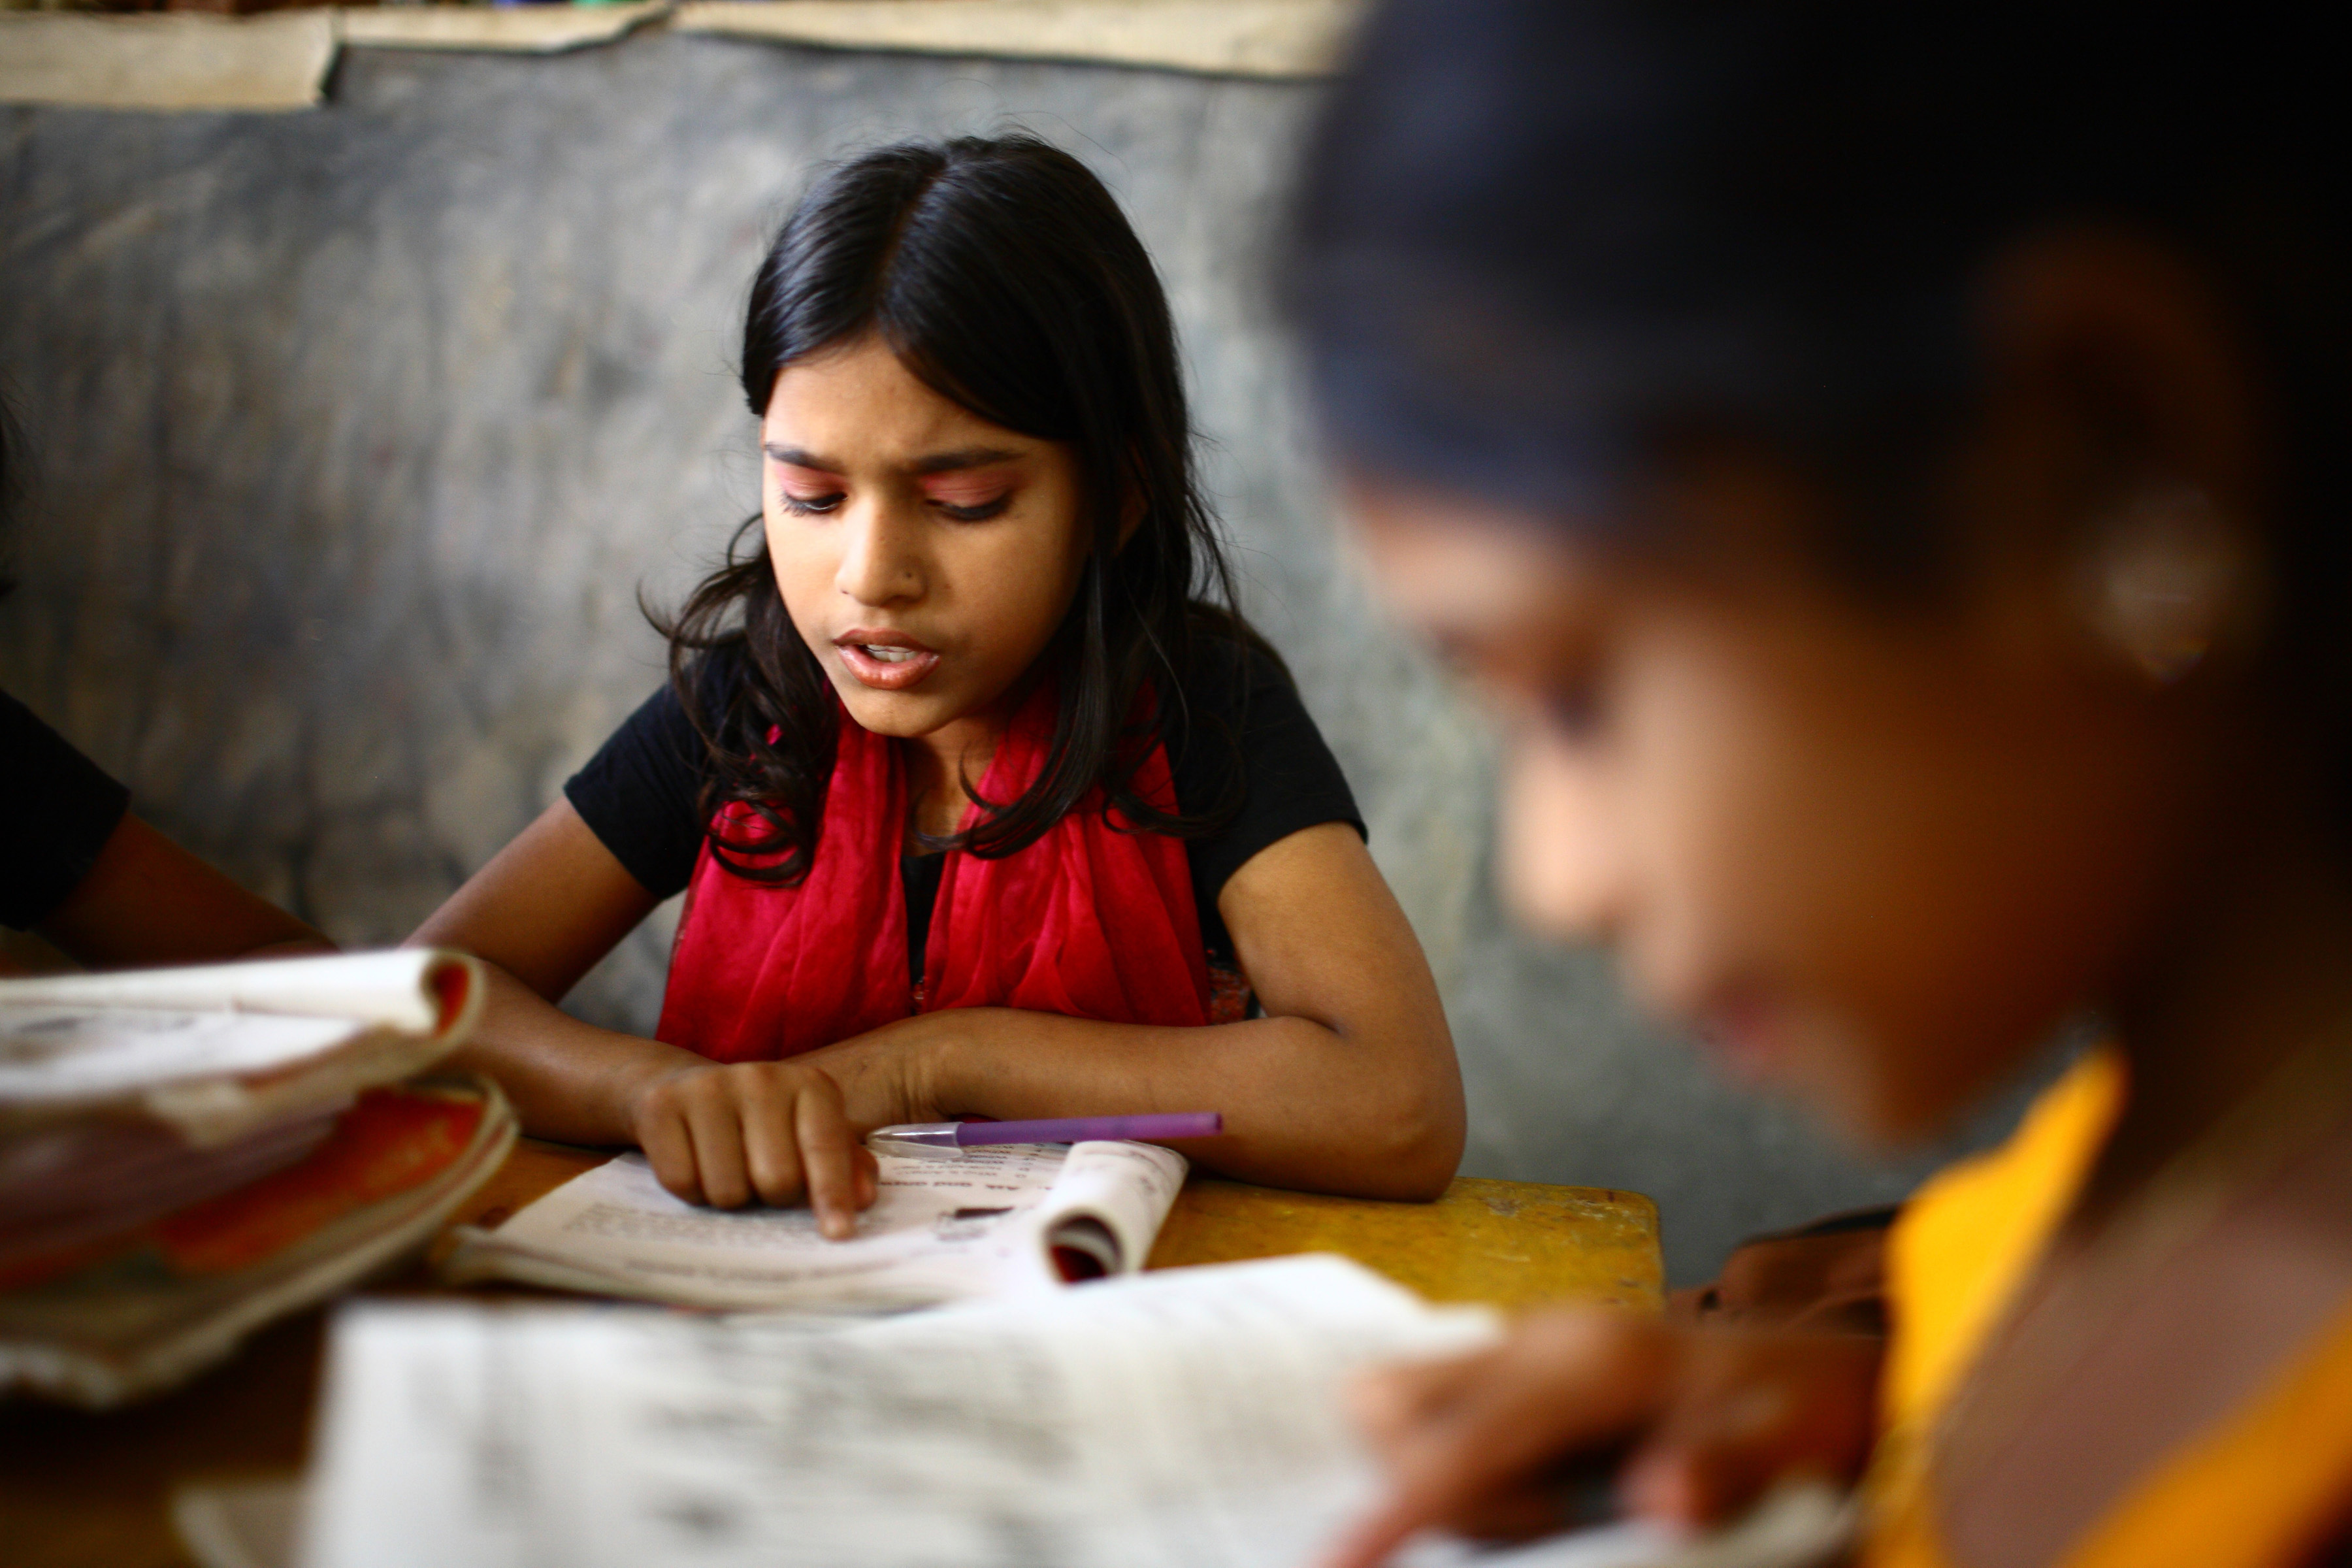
{"x":192,"y":1153}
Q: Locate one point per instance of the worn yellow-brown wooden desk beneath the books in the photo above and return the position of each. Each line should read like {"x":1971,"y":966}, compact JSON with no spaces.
{"x":93,"y":1492}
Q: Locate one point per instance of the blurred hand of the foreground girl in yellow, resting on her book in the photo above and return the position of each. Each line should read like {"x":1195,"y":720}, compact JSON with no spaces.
{"x":1695,"y":1426}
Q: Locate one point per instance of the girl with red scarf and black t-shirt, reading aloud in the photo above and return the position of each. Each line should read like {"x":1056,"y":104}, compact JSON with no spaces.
{"x":982,"y":800}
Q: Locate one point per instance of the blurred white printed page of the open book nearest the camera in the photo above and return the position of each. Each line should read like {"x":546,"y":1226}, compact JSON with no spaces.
{"x":1170,"y":1421}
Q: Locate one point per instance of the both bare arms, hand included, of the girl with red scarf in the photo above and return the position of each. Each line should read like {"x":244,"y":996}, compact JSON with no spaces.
{"x":1349,"y":1083}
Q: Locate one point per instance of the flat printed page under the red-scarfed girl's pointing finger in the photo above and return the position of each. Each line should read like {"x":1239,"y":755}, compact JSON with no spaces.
{"x":940,"y":1231}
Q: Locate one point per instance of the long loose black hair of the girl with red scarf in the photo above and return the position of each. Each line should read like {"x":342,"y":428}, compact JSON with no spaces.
{"x":1008,"y":281}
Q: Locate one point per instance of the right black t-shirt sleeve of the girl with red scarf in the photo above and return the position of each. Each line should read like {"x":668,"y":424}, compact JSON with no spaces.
{"x":1250,"y":744}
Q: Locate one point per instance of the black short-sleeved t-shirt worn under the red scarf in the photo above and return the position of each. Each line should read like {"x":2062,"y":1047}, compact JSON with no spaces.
{"x":1238,"y":737}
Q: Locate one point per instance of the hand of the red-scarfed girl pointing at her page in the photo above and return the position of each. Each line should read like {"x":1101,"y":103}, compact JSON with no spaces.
{"x":723,"y":1134}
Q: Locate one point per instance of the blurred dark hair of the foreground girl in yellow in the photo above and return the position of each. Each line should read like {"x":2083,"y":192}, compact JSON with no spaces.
{"x":1542,"y":239}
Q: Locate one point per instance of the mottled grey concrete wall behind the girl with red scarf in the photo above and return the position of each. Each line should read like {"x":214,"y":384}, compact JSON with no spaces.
{"x":363,"y":429}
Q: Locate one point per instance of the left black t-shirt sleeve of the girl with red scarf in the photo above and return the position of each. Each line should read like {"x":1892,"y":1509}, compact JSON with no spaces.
{"x":641,"y":791}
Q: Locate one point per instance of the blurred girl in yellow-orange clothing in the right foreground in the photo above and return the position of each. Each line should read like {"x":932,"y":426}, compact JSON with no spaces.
{"x":1890,"y":464}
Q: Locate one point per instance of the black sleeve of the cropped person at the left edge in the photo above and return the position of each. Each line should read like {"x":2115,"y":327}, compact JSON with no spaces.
{"x":58,"y":810}
